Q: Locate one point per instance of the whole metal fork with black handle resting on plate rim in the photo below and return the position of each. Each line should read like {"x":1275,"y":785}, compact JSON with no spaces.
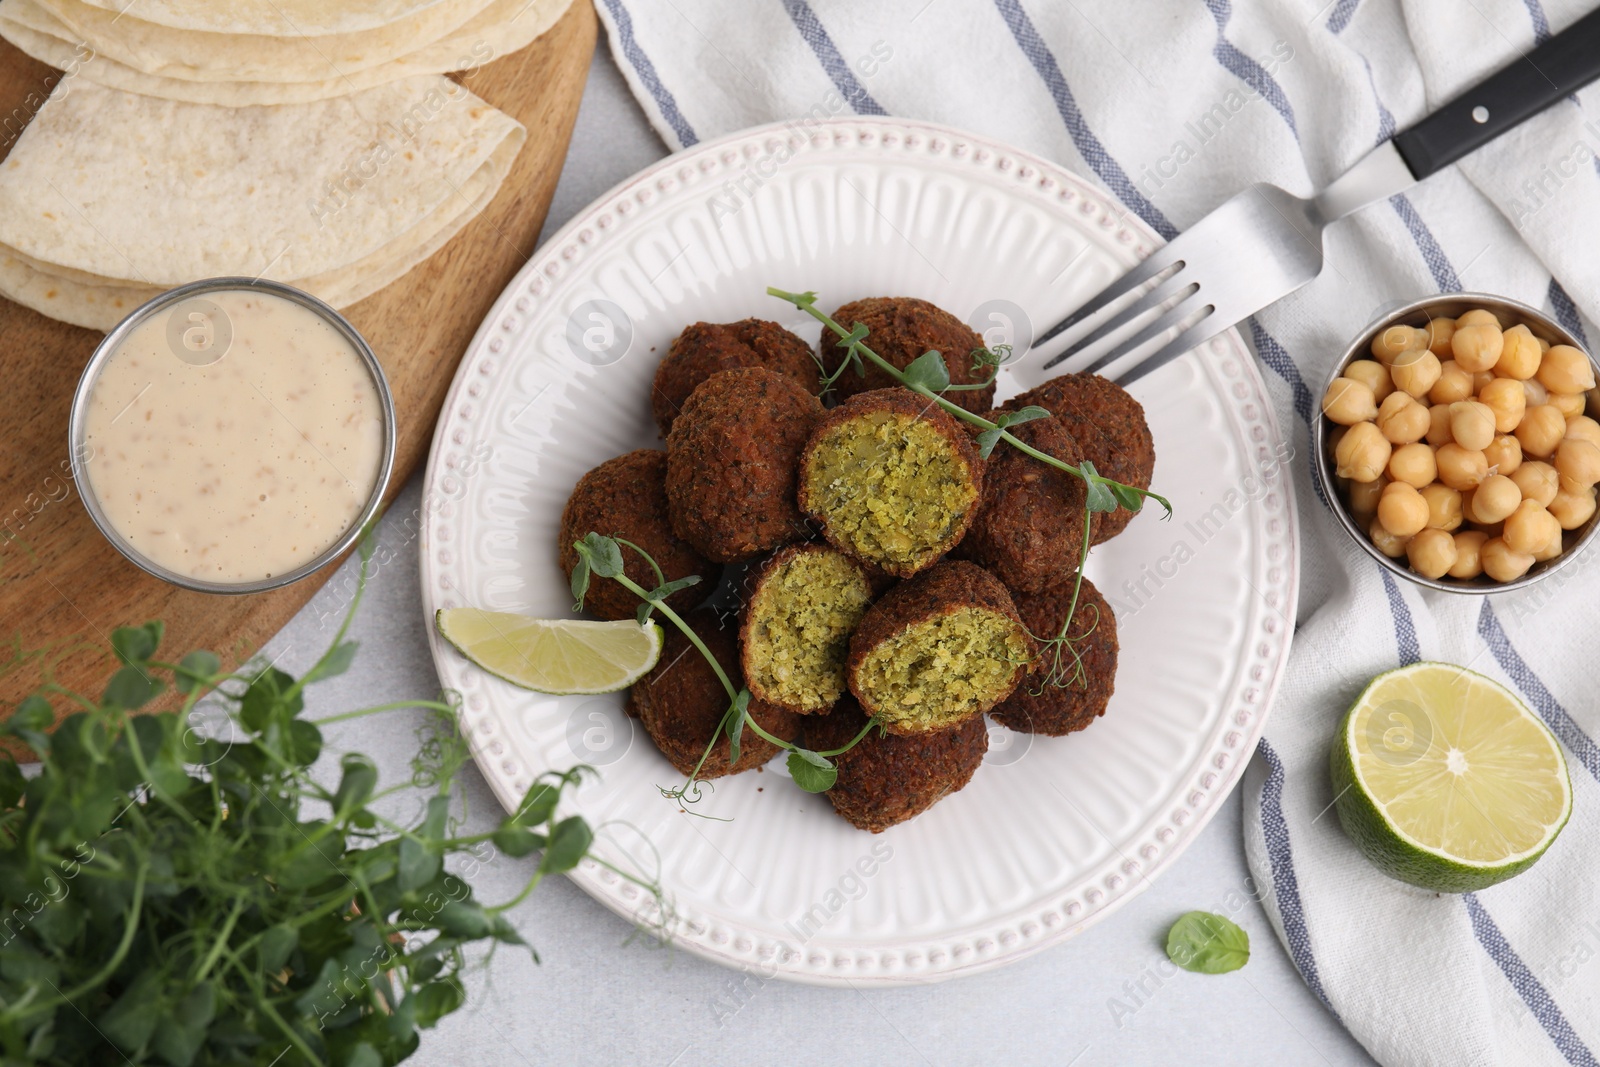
{"x":1265,"y":244}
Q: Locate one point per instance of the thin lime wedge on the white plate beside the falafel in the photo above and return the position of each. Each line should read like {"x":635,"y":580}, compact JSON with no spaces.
{"x":561,"y":657}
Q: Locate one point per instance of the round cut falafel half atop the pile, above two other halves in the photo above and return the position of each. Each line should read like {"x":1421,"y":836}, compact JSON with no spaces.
{"x":892,"y":479}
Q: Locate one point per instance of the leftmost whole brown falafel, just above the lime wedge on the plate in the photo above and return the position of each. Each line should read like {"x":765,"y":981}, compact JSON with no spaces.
{"x":628,"y":498}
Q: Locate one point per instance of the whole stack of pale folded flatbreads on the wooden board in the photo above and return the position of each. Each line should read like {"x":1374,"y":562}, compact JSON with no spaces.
{"x":308,"y":142}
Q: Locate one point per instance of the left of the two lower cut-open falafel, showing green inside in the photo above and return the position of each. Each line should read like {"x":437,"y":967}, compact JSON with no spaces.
{"x":806,"y":604}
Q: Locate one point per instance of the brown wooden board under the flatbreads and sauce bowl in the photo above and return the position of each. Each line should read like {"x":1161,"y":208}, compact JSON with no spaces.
{"x":63,"y":588}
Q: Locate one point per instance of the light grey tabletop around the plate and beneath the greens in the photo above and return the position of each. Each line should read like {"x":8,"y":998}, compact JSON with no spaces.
{"x":1100,"y":999}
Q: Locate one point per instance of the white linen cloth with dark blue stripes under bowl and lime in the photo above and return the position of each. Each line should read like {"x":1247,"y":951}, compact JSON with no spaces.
{"x":1174,"y":106}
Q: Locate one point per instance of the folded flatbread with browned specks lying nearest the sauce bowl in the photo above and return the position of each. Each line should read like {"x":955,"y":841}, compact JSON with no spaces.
{"x":244,"y":201}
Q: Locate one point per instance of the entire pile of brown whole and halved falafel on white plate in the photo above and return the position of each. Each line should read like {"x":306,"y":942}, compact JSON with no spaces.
{"x":894,"y":572}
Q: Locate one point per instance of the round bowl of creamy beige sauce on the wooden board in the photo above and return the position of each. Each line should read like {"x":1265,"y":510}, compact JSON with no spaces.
{"x":233,"y":436}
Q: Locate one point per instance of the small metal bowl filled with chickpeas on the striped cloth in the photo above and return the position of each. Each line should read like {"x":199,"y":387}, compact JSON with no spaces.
{"x":1460,"y":442}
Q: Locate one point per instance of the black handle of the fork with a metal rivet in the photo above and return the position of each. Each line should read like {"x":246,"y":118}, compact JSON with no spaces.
{"x":1508,"y":98}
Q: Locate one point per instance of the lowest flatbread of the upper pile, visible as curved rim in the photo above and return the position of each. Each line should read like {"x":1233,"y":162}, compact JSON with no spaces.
{"x":503,"y":28}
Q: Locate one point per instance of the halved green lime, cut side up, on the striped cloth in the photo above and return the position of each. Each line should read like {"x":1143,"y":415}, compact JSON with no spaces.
{"x":1447,"y":781}
